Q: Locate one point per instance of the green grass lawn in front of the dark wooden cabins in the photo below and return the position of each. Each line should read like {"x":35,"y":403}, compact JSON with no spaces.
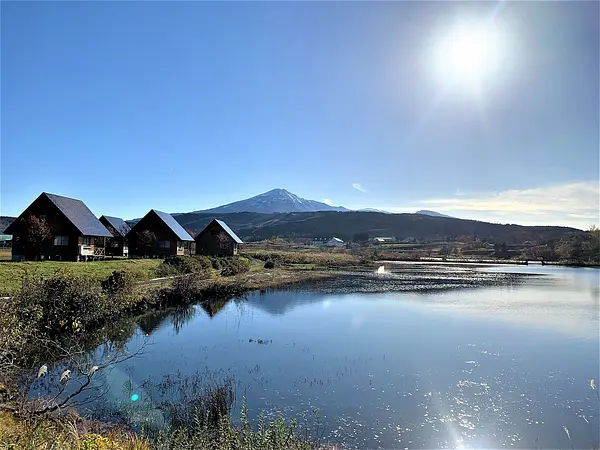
{"x":12,"y":273}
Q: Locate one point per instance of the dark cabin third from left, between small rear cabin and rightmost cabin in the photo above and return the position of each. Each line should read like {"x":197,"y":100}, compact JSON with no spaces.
{"x":159,"y":234}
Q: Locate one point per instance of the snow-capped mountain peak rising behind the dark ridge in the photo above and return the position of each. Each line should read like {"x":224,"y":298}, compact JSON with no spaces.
{"x":274,"y":201}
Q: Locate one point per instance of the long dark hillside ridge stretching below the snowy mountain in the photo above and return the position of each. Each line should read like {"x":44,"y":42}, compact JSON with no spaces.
{"x":254,"y":226}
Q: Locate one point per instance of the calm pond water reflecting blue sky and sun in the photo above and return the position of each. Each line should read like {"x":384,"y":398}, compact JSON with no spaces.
{"x":439,"y":362}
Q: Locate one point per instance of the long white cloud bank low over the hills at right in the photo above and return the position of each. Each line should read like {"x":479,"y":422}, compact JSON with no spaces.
{"x":568,"y":204}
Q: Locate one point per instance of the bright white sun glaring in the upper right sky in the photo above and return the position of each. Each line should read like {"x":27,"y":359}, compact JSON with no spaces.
{"x":468,"y":55}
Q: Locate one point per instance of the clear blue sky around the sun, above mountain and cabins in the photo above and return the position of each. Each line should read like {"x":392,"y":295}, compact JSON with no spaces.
{"x":187,"y":105}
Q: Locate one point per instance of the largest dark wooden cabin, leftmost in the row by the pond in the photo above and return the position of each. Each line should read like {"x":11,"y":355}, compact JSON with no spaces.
{"x":76,"y":233}
